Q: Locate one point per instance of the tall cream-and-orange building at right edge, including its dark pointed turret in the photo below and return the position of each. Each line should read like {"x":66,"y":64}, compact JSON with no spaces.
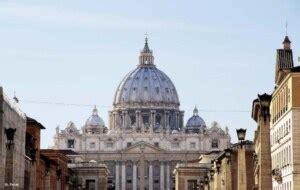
{"x":284,"y":127}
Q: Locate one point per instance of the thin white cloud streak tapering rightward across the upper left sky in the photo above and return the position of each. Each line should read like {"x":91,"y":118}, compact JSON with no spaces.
{"x":58,"y":15}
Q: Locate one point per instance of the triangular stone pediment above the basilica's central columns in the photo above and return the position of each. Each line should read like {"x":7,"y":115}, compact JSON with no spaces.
{"x":142,"y":147}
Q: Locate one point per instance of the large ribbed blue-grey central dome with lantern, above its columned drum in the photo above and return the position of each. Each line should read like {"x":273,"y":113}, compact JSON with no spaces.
{"x":146,"y":85}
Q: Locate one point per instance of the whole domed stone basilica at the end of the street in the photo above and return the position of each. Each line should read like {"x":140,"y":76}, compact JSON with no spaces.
{"x":146,"y":135}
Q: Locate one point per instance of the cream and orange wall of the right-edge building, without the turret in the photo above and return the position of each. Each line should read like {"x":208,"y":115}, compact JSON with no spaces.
{"x":285,"y":132}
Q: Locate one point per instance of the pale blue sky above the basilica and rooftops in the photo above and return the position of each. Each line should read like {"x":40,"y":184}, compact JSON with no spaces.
{"x":219,"y":54}
